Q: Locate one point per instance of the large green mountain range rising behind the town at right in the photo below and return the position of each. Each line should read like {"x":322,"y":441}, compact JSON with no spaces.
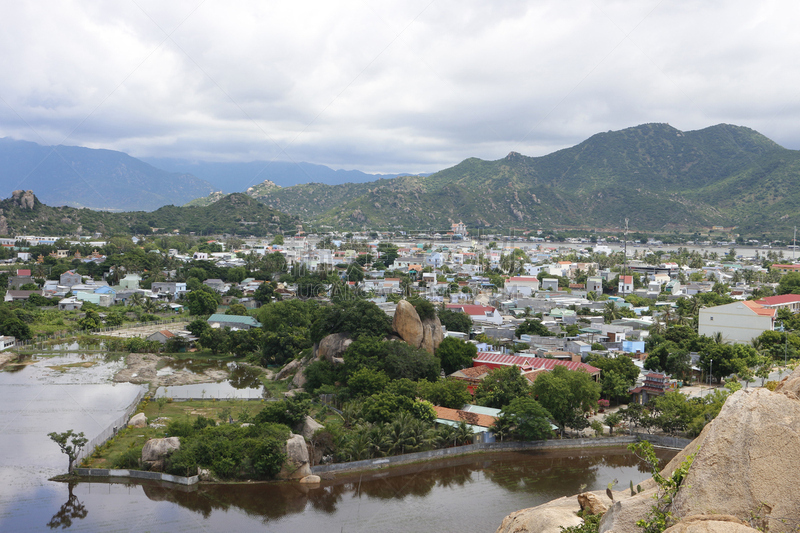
{"x":659,"y":177}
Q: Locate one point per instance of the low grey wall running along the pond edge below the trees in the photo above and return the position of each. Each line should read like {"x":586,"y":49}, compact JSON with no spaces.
{"x":368,"y":464}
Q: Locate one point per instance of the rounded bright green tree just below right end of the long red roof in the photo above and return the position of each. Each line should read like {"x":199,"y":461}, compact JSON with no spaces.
{"x":567,"y":395}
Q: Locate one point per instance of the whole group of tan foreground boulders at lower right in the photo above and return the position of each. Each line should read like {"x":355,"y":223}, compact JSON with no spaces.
{"x":742,"y":477}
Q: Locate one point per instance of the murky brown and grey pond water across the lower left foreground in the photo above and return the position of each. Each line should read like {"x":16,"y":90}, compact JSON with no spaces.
{"x":462,"y":494}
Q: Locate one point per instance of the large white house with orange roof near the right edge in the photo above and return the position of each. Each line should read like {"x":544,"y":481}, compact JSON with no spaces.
{"x":738,"y":322}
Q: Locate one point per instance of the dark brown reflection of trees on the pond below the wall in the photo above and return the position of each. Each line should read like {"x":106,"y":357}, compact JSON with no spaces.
{"x":543,"y":475}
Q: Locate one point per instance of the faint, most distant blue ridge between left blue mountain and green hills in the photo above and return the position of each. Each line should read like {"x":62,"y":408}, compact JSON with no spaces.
{"x":235,"y":177}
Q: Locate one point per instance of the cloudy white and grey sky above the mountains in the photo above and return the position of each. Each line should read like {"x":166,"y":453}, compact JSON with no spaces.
{"x":389,"y":86}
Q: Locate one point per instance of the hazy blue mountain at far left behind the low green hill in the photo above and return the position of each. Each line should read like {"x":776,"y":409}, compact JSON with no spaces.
{"x":97,"y":179}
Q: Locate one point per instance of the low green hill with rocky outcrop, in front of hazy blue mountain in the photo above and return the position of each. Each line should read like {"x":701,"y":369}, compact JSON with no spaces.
{"x":23,"y":213}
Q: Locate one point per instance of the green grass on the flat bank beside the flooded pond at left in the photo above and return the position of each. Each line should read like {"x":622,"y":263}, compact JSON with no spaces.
{"x":129,"y":438}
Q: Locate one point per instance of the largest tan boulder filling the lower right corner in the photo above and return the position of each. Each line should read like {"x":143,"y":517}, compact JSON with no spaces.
{"x":746,"y":462}
